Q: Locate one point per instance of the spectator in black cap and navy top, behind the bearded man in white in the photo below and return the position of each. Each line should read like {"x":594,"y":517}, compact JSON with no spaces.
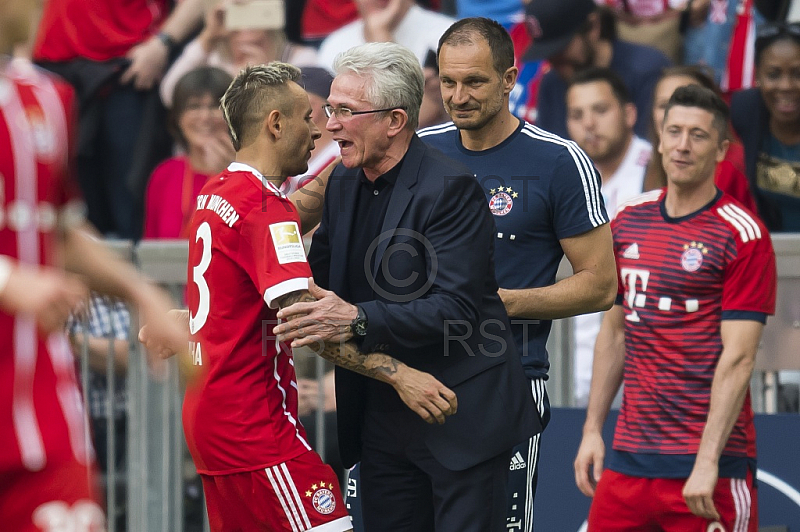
{"x":574,"y":35}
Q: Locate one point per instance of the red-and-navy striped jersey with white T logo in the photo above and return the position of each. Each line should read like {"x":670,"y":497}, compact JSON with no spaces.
{"x":678,"y":277}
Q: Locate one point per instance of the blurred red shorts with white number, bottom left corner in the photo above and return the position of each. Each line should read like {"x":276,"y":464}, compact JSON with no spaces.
{"x":59,"y":497}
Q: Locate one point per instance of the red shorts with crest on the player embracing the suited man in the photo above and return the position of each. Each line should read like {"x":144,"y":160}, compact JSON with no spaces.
{"x":298,"y":495}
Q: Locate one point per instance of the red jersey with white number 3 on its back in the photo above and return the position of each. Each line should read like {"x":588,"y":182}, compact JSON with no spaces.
{"x":245,"y":251}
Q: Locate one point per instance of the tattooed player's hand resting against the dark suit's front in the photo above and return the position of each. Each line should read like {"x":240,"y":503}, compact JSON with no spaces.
{"x":422,"y":393}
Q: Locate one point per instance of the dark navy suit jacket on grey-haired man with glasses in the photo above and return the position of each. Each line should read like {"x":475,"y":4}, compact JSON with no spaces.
{"x":435,"y":306}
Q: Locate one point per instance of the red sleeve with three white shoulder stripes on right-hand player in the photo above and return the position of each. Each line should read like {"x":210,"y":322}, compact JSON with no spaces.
{"x":750,"y":279}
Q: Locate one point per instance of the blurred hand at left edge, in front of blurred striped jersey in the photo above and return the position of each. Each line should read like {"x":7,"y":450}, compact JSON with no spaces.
{"x":47,"y":294}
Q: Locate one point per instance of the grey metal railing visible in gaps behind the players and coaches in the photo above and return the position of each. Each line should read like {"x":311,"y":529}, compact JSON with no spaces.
{"x":158,"y":466}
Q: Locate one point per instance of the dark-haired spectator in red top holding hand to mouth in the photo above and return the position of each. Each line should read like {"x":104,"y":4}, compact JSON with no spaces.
{"x":199,"y":129}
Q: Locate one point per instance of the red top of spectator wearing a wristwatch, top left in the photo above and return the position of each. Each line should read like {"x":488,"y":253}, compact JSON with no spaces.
{"x":96,"y":30}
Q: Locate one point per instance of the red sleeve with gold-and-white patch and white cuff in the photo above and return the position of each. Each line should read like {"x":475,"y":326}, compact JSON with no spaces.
{"x":279,"y":260}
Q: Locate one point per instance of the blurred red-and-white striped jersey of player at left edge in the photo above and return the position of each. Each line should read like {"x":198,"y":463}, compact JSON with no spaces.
{"x":41,"y":413}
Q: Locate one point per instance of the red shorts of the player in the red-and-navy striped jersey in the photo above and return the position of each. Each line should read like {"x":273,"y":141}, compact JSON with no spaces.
{"x":624,"y":503}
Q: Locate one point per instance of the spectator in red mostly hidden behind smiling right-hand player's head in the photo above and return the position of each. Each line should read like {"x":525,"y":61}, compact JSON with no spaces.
{"x":729,"y":175}
